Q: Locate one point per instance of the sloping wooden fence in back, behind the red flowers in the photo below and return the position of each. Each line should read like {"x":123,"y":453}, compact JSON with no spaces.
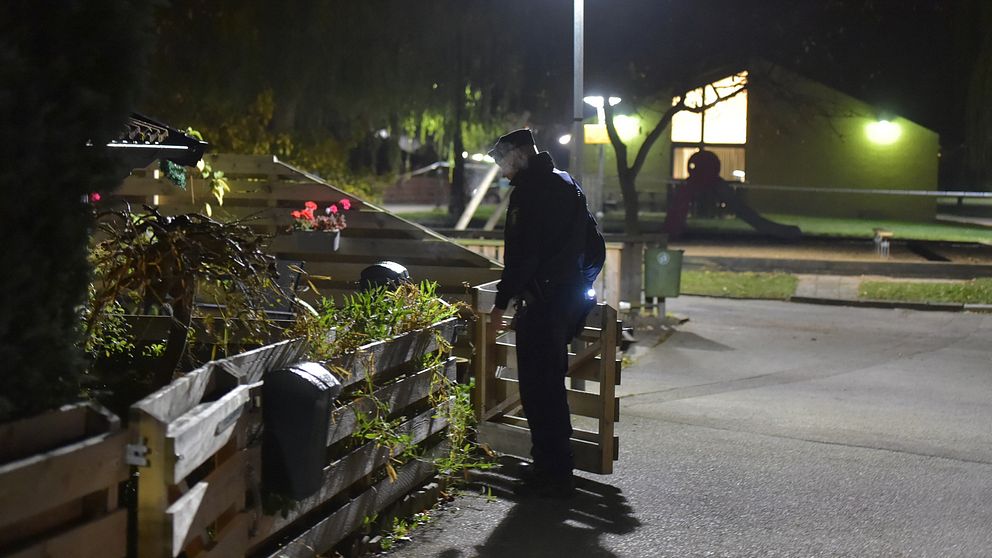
{"x":264,"y":191}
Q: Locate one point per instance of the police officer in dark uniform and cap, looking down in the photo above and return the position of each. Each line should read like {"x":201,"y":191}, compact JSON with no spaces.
{"x":544,"y":242}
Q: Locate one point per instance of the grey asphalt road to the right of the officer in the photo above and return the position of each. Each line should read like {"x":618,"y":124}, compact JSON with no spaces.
{"x":772,"y":429}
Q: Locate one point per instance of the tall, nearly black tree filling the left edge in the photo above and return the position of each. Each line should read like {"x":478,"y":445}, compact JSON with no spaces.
{"x":70,"y":77}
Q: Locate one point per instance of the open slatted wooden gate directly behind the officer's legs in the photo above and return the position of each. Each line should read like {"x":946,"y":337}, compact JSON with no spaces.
{"x":593,"y":374}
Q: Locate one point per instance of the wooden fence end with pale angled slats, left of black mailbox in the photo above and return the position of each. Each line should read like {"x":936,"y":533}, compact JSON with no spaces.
{"x":192,"y":436}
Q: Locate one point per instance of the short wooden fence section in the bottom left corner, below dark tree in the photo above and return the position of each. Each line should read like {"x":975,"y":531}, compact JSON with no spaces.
{"x":59,"y":478}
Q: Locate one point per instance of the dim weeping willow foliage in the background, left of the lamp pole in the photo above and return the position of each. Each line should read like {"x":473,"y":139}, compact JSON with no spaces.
{"x":332,"y":86}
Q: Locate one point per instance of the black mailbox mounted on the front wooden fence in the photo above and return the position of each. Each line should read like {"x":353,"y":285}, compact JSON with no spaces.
{"x":296,"y":411}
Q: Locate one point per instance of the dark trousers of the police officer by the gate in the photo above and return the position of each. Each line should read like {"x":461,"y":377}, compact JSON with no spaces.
{"x":543,"y":331}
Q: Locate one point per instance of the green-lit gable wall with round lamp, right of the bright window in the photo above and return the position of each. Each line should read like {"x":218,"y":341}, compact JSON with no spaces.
{"x":792,"y":142}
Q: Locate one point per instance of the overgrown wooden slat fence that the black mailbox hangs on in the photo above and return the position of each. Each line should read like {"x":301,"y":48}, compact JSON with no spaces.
{"x":200,"y":492}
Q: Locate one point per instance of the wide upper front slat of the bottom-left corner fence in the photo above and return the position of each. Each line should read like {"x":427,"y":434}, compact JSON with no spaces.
{"x":35,"y":484}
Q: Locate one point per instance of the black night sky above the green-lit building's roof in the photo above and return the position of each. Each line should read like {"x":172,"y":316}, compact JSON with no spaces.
{"x":913,"y":58}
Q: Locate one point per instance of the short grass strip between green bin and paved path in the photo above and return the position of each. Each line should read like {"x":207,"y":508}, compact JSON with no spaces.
{"x":775,"y":286}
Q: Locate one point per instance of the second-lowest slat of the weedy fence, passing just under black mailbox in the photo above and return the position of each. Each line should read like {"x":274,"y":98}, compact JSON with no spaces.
{"x":350,"y":468}
